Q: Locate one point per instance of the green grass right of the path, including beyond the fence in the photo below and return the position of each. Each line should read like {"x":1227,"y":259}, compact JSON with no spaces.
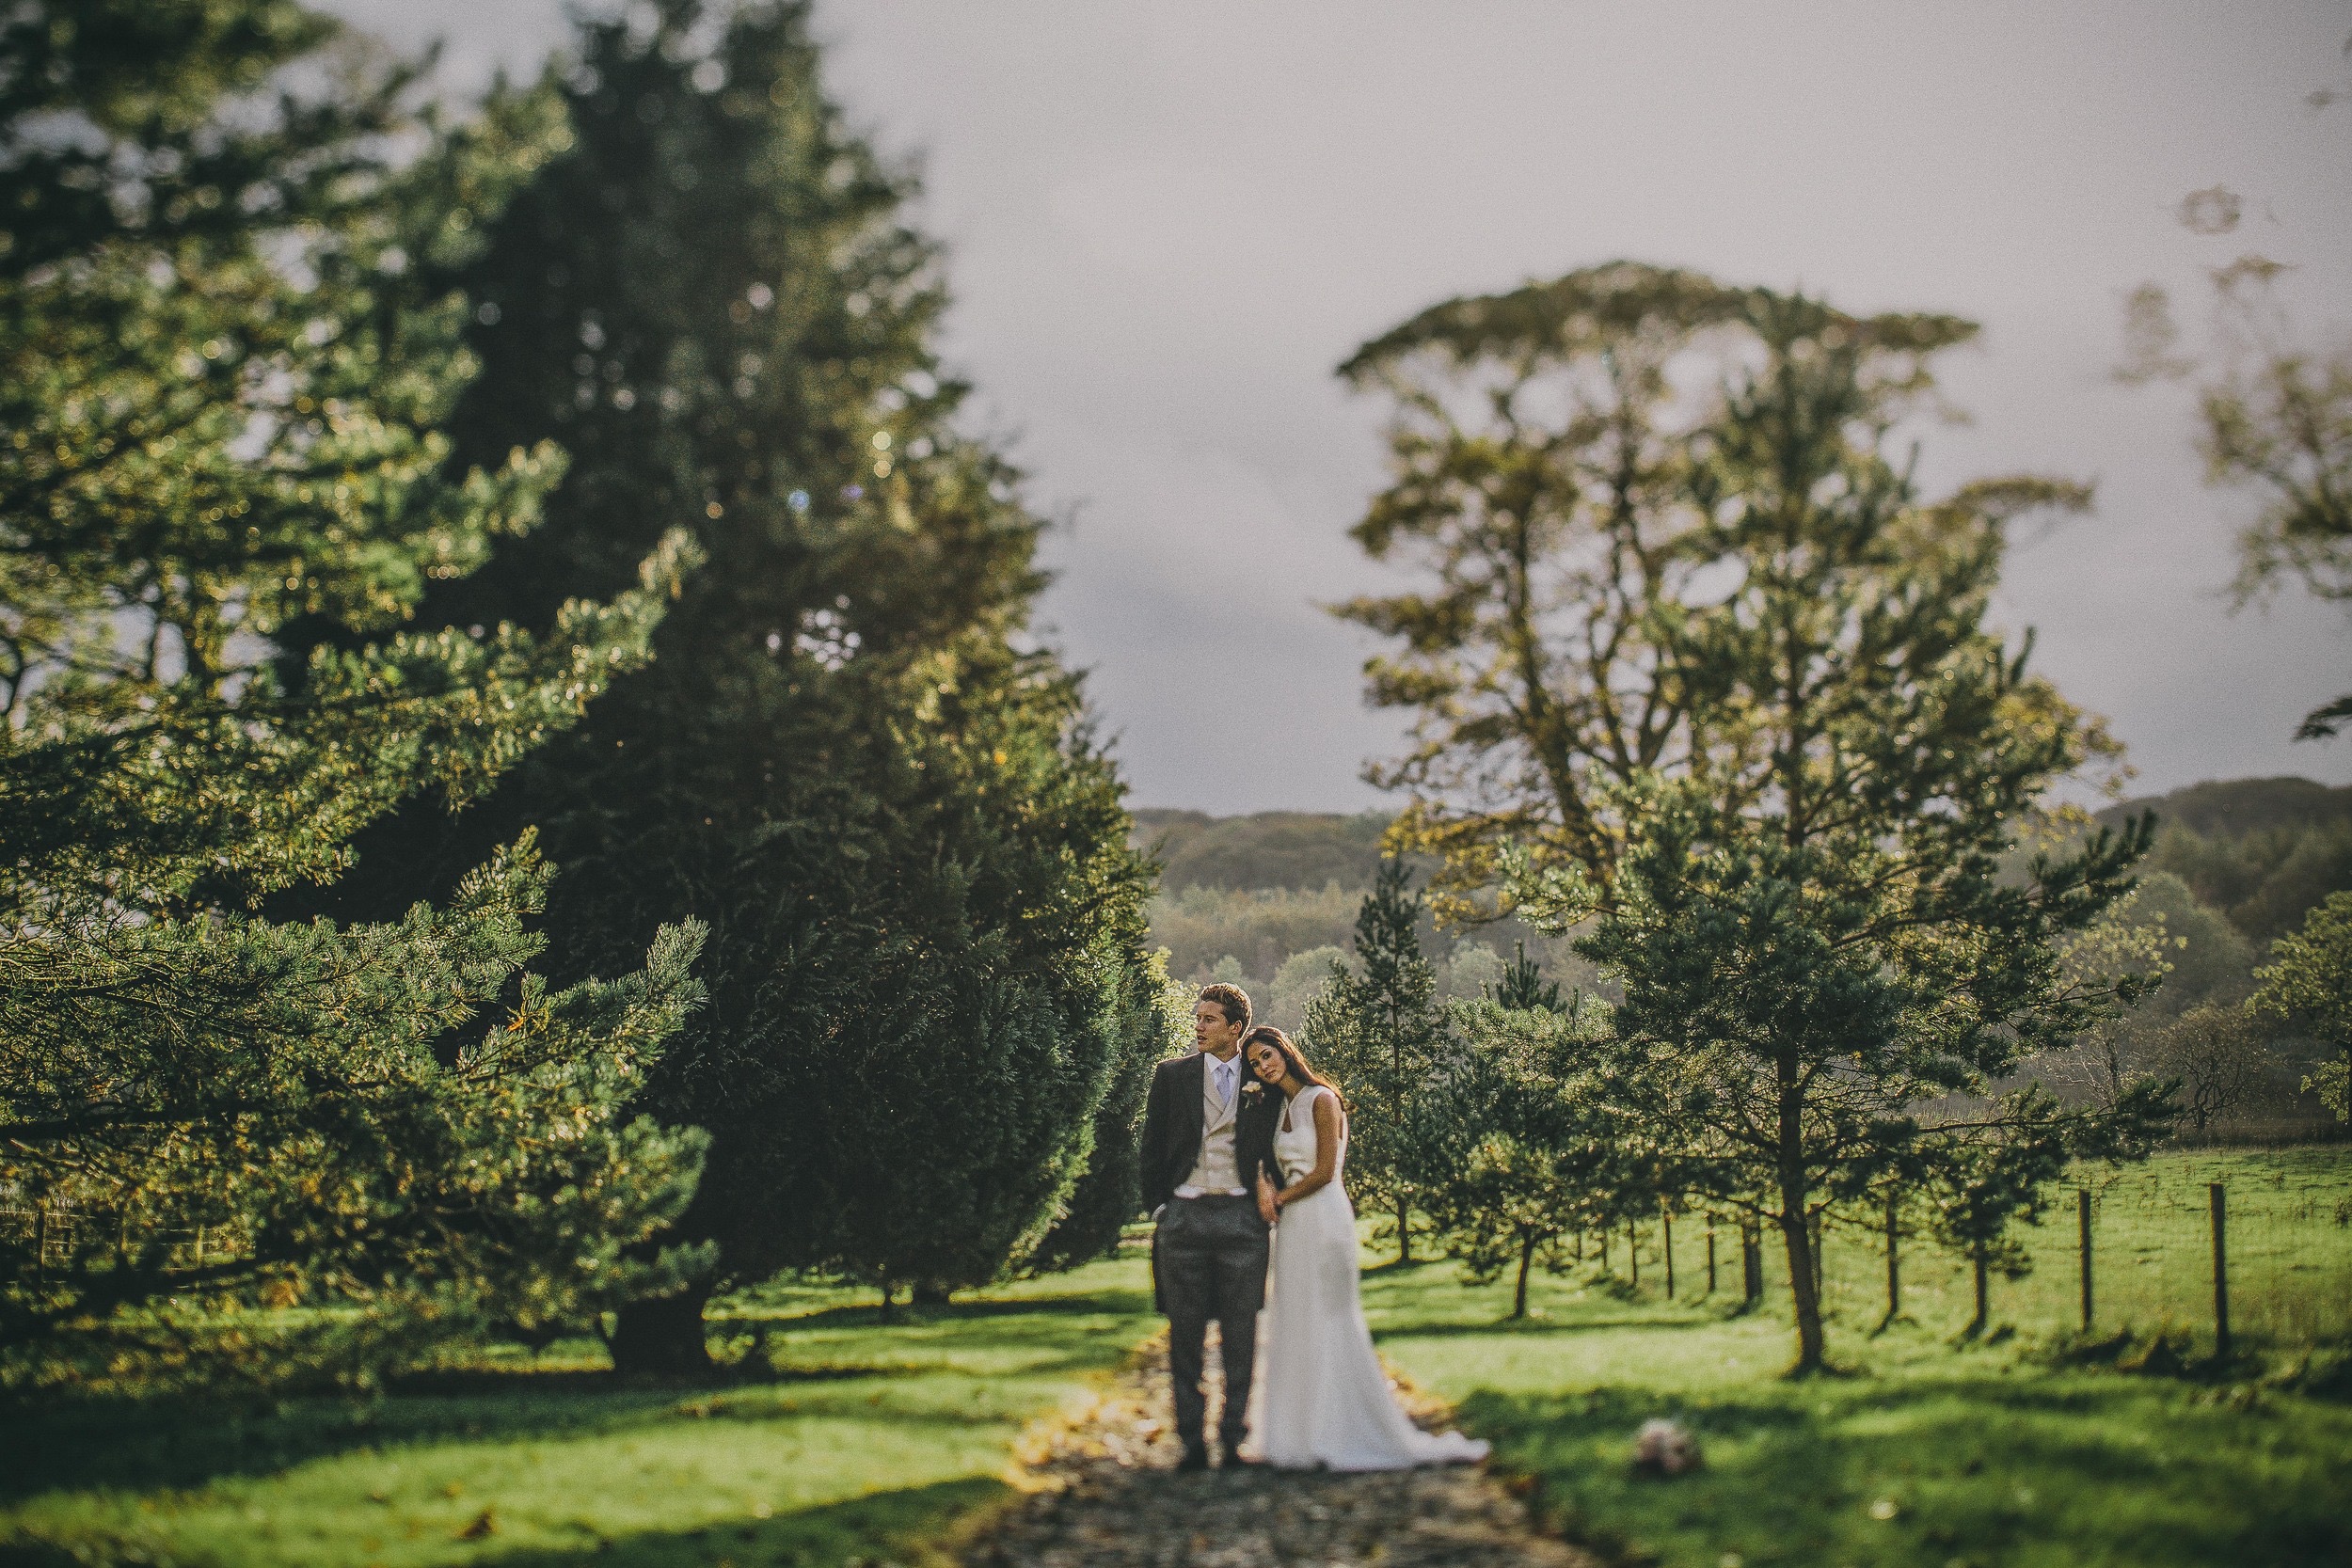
{"x":1920,"y":1452}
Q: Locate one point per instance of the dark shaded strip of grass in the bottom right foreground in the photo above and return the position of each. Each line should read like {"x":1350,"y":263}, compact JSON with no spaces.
{"x":1935,"y":1470}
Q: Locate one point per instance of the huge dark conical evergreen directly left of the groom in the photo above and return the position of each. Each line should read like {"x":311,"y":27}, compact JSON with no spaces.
{"x":926,"y":960}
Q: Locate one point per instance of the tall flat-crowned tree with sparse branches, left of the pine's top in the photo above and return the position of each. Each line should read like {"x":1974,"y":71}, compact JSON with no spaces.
{"x":1542,"y":453}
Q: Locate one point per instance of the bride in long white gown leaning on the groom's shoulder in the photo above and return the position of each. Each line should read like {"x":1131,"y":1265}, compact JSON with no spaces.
{"x":1321,"y":1393}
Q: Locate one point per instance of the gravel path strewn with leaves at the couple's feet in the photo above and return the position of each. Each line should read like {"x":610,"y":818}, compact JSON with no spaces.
{"x":1107,"y":1496}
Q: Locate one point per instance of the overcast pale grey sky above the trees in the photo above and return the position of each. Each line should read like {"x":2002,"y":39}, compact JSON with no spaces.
{"x":1170,"y":222}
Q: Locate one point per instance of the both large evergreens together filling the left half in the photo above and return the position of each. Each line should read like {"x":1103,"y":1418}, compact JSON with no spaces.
{"x":450,"y":554}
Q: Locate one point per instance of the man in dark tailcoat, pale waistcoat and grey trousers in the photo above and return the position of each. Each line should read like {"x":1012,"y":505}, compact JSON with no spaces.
{"x":1208,"y":1132}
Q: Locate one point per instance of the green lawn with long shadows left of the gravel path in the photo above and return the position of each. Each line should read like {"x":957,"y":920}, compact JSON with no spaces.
{"x":862,"y":1440}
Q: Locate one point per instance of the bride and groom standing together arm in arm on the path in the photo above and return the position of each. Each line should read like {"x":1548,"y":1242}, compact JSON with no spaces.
{"x":1243,"y":1151}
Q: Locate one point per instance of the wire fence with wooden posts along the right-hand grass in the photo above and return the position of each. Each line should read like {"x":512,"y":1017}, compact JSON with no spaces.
{"x":2207,"y":1247}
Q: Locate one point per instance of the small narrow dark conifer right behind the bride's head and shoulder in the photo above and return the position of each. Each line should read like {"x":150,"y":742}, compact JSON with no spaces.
{"x":1384,"y":1038}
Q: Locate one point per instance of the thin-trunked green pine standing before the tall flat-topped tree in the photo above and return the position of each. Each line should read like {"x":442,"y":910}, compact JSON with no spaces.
{"x":1810,"y":923}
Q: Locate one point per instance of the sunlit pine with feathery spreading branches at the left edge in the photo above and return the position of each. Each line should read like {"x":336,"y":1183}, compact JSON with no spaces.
{"x":227,"y":396}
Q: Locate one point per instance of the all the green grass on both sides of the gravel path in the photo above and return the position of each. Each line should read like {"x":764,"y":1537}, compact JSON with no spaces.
{"x":853,"y":1440}
